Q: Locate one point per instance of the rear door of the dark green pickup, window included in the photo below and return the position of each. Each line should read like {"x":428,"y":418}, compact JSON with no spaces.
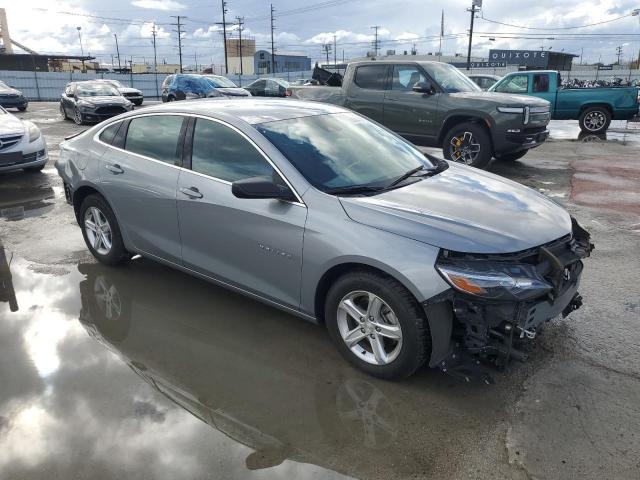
{"x":366,"y":91}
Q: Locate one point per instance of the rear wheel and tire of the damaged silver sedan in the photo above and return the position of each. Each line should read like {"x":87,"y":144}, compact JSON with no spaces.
{"x":101,"y":231}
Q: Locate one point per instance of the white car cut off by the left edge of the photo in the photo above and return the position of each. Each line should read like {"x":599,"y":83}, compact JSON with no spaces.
{"x":22,"y":145}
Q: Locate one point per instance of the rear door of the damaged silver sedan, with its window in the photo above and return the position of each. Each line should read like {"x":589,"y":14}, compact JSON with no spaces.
{"x":139,"y":177}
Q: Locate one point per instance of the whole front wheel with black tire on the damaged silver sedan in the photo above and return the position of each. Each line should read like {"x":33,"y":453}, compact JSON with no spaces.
{"x":377,"y":325}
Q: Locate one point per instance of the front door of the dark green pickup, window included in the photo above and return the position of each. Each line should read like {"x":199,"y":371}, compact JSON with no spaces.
{"x":407,"y":112}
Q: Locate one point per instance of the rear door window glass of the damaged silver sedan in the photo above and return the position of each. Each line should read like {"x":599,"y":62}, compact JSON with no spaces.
{"x":155,"y":136}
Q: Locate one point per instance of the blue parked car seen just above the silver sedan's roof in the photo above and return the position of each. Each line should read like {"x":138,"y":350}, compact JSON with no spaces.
{"x":182,"y":86}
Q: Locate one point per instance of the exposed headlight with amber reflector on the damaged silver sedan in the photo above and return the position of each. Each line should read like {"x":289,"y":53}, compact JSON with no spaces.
{"x":494,"y":280}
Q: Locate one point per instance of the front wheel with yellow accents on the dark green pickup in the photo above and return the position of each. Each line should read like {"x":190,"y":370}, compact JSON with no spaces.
{"x":468,"y":143}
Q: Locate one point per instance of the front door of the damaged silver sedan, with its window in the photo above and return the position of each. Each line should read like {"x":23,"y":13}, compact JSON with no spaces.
{"x":255,"y":244}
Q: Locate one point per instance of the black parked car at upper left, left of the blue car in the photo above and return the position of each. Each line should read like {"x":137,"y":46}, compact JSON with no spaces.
{"x":92,"y":101}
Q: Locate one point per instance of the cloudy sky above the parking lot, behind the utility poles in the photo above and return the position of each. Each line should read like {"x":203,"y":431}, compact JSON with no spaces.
{"x":50,"y":27}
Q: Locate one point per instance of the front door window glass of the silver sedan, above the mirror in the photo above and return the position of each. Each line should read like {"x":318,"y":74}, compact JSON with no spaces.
{"x":223,"y":153}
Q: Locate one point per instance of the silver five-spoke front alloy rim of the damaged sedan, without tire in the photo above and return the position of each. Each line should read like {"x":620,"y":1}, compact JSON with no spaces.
{"x":369,"y":328}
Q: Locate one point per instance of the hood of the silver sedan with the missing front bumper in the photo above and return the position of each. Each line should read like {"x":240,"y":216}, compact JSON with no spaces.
{"x":465,"y":210}
